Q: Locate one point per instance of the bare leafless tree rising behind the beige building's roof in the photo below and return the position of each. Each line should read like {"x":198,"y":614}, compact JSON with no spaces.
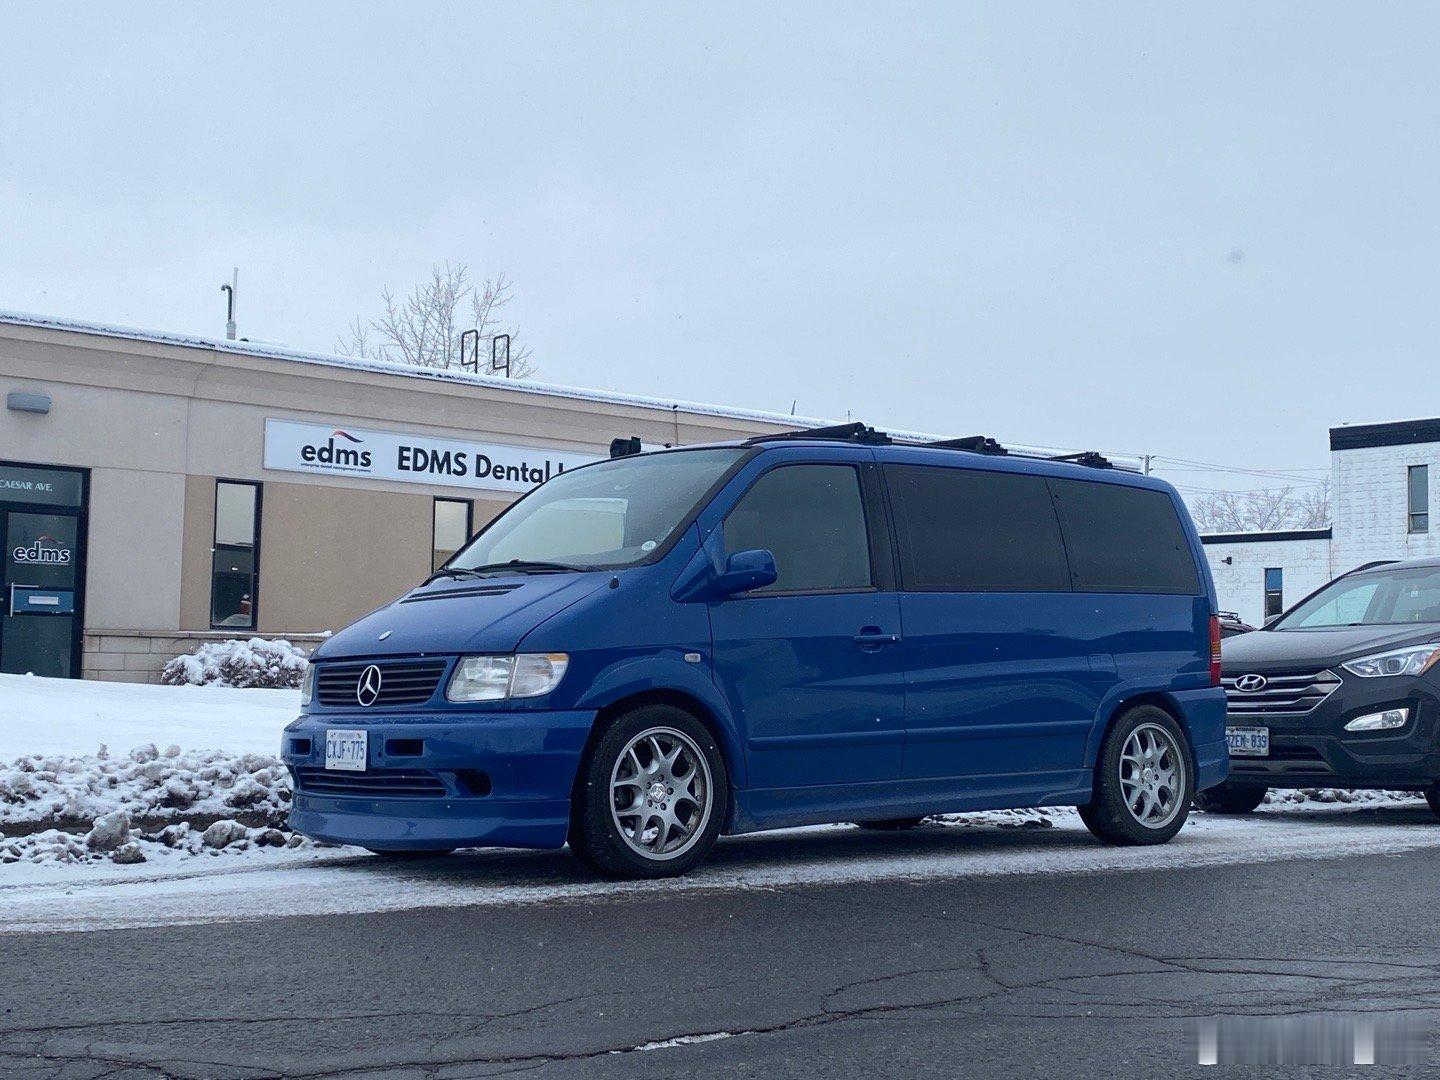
{"x":424,"y":326}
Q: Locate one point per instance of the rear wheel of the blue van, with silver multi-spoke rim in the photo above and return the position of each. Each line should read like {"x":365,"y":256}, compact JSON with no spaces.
{"x":1143,"y":786}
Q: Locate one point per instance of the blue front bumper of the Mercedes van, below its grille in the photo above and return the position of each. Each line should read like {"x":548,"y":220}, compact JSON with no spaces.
{"x":440,"y":780}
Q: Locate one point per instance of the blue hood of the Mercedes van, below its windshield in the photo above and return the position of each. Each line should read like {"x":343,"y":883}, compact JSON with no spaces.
{"x":467,"y":616}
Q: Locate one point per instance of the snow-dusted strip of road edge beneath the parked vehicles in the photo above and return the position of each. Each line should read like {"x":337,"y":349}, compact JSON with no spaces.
{"x":269,"y":885}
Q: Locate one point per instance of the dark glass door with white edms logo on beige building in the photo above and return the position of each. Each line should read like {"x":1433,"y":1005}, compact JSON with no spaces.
{"x":40,"y":577}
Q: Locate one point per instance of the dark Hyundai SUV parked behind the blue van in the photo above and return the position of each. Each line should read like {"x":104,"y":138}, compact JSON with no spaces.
{"x":1340,"y":692}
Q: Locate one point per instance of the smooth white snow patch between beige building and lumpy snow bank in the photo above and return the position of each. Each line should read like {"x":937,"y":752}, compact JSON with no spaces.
{"x":61,"y":716}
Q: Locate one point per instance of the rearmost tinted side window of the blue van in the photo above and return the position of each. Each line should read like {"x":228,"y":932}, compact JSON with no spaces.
{"x":1124,"y":539}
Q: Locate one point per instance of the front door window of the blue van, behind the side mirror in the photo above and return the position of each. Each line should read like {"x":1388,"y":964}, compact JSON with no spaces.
{"x":811,"y":518}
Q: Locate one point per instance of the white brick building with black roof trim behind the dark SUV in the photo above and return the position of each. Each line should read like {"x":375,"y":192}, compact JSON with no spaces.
{"x":1380,"y":509}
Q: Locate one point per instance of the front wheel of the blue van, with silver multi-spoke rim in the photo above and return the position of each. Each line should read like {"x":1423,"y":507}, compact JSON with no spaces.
{"x":652,"y":797}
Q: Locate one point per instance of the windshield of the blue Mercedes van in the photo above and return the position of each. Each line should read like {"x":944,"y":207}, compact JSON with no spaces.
{"x":601,"y":518}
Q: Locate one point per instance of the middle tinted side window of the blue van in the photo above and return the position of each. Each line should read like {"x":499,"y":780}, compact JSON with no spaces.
{"x":964,"y":531}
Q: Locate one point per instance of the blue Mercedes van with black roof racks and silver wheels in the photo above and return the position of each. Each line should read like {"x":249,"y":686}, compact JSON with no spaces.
{"x":819,"y":627}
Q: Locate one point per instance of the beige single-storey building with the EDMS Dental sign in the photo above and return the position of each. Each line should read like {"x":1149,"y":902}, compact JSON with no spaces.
{"x":158,"y":492}
